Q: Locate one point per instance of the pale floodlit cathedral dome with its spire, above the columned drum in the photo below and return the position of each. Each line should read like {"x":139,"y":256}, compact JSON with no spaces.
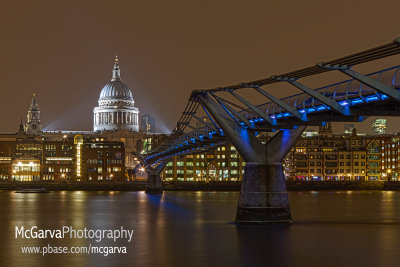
{"x":116,"y":89}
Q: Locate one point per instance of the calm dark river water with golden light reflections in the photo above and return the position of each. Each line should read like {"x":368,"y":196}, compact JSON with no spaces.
{"x":338,"y":228}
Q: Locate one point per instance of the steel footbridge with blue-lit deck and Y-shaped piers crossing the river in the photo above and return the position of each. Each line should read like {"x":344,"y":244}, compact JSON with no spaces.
{"x":235,"y":117}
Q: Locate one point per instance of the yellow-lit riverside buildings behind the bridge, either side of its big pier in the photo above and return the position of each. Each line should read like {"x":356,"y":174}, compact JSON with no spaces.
{"x":322,"y":156}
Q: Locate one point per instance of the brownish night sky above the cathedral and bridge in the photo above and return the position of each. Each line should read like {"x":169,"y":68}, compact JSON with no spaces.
{"x":64,"y":50}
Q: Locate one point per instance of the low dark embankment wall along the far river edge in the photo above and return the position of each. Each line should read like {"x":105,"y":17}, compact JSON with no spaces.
{"x":199,"y":186}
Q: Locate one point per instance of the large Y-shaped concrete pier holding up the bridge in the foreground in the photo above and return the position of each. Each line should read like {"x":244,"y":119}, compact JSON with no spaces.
{"x":263,"y":197}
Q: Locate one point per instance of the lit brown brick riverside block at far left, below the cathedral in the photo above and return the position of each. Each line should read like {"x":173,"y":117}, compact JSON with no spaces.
{"x":73,"y":158}
